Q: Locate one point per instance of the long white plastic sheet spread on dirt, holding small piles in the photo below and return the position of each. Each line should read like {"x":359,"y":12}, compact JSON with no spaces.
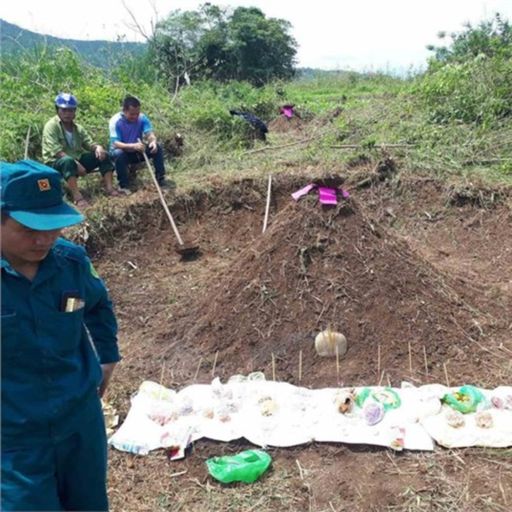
{"x":269,"y":413}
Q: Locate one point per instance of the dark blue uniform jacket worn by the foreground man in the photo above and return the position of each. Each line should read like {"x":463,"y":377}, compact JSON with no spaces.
{"x":51,"y":358}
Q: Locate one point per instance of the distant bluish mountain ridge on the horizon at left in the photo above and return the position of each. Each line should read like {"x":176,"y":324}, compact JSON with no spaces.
{"x":14,"y":39}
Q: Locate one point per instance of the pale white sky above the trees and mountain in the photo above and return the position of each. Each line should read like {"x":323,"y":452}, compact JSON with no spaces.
{"x":359,"y":35}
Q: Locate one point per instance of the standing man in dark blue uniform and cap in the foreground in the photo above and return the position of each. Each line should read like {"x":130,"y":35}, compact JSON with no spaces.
{"x":59,"y":349}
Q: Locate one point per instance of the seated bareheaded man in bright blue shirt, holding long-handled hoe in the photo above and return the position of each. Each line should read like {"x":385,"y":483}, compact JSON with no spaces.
{"x":126,"y":129}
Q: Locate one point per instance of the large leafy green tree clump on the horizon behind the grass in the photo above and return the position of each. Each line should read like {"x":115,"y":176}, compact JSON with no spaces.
{"x":222,"y":44}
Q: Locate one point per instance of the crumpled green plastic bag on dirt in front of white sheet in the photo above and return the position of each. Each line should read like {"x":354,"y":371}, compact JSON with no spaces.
{"x":246,"y":466}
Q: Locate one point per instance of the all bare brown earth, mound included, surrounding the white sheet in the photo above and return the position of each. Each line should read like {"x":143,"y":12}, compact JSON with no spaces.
{"x":404,"y":263}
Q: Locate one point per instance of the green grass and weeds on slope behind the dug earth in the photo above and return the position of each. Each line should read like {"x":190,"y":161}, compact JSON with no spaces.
{"x":375,"y":110}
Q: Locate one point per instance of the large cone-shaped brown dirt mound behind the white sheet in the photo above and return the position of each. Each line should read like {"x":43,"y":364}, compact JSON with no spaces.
{"x":316,"y":268}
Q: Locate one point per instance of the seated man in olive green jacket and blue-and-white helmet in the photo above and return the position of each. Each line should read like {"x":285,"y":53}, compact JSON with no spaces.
{"x":69,"y":149}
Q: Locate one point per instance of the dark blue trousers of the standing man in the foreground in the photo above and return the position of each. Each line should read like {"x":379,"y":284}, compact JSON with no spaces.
{"x":59,"y":474}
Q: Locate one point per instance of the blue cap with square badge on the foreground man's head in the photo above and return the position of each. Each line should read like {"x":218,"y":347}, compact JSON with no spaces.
{"x":31,"y":194}
